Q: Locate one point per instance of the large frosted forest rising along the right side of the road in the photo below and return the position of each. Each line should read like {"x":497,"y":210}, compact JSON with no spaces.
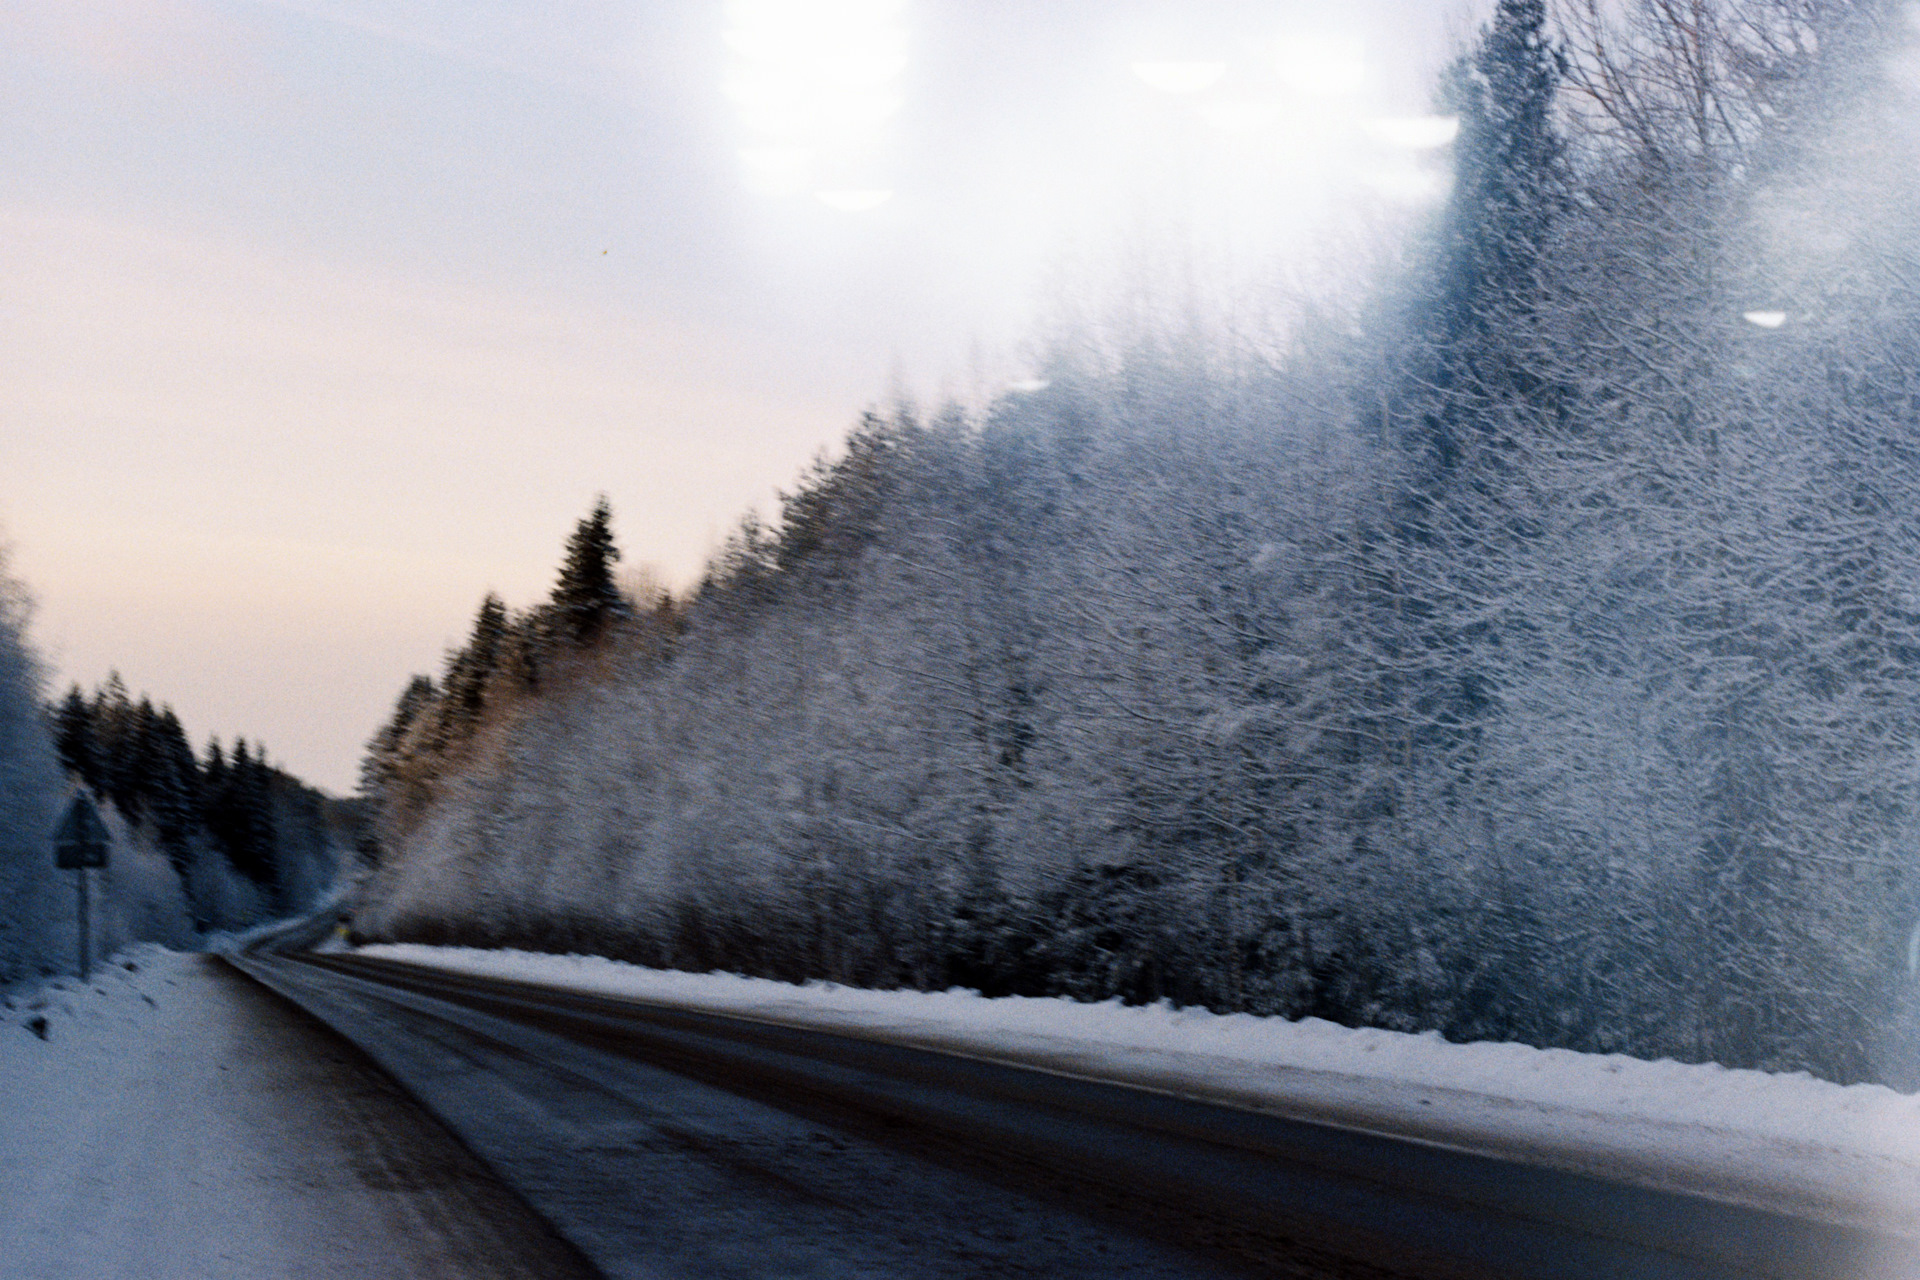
{"x":1525,"y":648}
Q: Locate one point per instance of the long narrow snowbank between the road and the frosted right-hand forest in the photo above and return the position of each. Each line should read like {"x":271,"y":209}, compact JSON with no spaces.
{"x":1775,"y":1141}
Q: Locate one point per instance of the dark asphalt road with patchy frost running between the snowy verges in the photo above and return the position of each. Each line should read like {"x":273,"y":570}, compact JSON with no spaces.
{"x":667,"y":1143}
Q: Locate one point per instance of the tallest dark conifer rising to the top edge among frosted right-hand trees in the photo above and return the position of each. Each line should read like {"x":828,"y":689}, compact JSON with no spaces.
{"x":1476,"y":408}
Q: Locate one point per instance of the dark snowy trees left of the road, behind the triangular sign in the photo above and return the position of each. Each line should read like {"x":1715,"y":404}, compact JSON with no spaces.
{"x":199,"y":845}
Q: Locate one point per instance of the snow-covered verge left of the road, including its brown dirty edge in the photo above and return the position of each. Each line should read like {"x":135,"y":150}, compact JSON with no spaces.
{"x":172,"y":1122}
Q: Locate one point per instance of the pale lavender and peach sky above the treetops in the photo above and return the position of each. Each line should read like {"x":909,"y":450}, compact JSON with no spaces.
{"x":324,"y":318}
